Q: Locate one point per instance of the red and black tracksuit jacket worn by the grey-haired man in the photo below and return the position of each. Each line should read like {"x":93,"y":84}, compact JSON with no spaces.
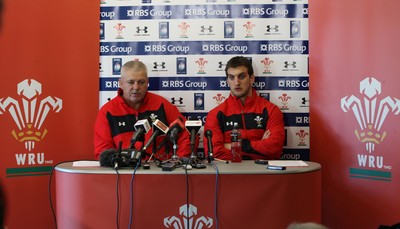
{"x":115,"y":122}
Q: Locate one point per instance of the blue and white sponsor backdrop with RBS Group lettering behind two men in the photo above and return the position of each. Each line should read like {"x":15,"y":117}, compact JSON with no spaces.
{"x":186,"y":44}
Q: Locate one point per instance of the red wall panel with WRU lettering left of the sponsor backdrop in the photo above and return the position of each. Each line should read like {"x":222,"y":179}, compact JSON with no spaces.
{"x":56,"y":44}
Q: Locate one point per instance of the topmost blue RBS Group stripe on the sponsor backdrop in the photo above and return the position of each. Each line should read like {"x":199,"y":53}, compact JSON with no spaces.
{"x":144,"y":12}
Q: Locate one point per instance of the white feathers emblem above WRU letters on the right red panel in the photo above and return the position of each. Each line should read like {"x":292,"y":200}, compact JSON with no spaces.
{"x":370,"y":112}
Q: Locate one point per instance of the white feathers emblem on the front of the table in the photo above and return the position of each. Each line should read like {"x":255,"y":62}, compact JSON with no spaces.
{"x":188,"y":220}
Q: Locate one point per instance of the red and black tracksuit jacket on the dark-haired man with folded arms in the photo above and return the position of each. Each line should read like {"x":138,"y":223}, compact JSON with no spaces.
{"x":255,"y":117}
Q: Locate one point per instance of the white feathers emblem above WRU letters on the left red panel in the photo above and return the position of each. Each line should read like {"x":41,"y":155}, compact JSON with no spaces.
{"x":29,"y":113}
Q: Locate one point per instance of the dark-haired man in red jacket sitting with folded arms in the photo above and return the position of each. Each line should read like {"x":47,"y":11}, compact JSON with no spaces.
{"x":260,"y":122}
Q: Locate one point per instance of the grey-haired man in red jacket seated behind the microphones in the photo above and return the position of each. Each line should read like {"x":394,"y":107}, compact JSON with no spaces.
{"x":116,"y":119}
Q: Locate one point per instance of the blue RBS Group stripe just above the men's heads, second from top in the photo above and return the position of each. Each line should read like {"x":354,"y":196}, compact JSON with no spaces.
{"x":204,"y":47}
